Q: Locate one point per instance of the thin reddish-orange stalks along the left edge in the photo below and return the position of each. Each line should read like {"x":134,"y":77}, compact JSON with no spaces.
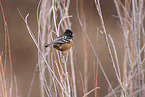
{"x":5,"y":90}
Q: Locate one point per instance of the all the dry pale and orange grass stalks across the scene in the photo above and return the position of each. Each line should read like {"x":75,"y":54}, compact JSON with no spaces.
{"x":57,"y":74}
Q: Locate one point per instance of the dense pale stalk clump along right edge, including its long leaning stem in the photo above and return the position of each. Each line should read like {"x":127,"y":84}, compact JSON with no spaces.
{"x":131,"y":16}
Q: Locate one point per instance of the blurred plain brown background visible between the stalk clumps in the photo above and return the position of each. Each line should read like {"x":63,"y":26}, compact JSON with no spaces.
{"x":24,"y":51}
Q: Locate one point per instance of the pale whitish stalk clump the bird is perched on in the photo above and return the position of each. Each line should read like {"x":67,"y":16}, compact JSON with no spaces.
{"x":53,"y":18}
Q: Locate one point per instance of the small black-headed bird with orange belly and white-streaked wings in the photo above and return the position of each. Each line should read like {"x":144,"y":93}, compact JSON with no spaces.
{"x":63,"y":42}
